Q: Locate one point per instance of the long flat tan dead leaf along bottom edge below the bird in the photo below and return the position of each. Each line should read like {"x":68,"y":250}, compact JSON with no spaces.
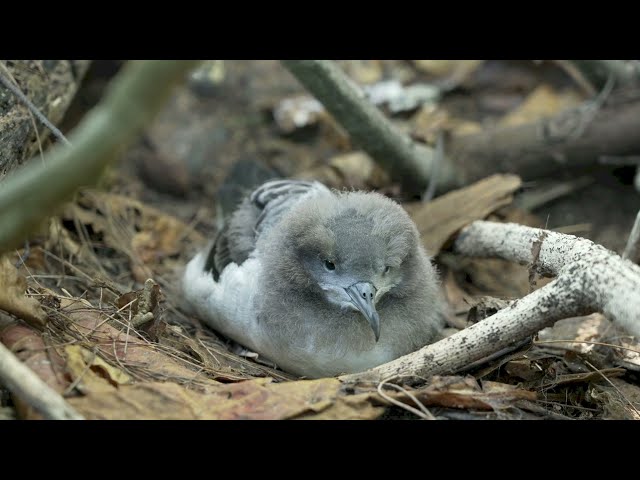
{"x":258,"y":399}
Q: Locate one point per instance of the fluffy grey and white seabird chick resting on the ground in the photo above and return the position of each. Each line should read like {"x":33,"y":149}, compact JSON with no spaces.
{"x":318,"y":281}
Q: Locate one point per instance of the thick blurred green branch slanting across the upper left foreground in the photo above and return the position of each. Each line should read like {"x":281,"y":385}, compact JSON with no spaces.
{"x":133,"y":98}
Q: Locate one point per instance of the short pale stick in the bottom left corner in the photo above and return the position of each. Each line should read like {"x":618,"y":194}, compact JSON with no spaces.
{"x":26,"y":385}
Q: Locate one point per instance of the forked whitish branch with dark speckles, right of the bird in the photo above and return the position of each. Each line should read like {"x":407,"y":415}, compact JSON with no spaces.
{"x":590,"y":278}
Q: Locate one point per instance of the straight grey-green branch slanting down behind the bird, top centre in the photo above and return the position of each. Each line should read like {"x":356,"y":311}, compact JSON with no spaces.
{"x":407,"y":161}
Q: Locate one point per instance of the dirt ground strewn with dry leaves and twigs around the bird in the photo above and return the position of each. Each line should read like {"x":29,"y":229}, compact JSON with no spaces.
{"x":217,"y":138}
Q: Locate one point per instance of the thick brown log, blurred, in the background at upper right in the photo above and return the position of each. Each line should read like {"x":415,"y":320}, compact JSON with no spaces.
{"x":573,"y":139}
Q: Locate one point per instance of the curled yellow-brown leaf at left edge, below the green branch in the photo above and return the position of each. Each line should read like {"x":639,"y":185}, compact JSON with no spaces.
{"x":12,"y":295}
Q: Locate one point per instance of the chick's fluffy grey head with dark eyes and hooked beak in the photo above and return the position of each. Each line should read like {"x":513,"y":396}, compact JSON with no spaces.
{"x":351,"y":249}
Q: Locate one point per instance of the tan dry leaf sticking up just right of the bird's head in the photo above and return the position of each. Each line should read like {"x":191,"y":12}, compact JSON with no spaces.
{"x":441,"y":218}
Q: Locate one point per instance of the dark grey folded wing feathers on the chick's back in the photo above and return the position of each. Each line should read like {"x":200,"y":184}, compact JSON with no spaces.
{"x":258,"y":213}
